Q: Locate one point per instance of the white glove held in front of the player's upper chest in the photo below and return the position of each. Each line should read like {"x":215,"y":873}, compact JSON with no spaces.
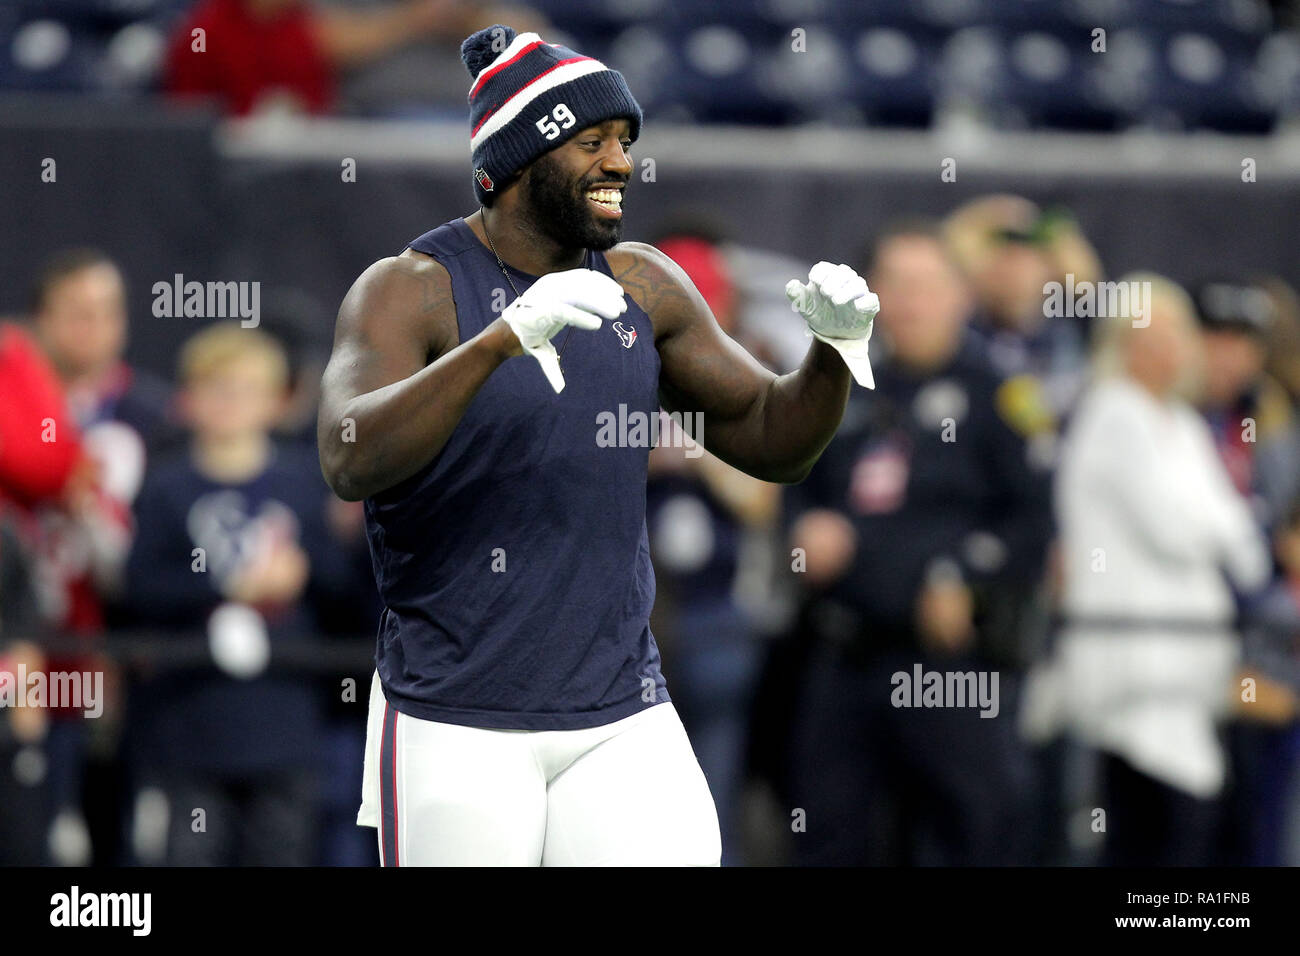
{"x":577,"y":297}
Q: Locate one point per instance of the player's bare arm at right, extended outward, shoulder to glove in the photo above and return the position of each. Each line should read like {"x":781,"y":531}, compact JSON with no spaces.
{"x":772,"y":427}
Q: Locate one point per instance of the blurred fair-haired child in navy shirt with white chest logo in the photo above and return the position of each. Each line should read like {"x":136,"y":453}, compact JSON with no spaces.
{"x":232,"y":522}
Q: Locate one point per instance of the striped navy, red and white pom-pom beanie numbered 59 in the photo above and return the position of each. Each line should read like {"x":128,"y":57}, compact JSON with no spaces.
{"x":530,"y":97}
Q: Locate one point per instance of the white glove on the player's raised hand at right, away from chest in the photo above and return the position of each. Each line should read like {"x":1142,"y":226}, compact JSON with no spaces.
{"x":840,"y":312}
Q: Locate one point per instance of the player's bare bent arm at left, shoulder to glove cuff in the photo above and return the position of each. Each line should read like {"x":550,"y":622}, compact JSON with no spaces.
{"x":398,"y":380}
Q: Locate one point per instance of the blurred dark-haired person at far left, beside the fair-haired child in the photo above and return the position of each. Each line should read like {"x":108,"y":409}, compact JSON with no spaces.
{"x":79,"y":310}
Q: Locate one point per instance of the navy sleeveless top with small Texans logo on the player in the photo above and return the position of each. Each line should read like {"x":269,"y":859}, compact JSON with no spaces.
{"x":514,"y":568}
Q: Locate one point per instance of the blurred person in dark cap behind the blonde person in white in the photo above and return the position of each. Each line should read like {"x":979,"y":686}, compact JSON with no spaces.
{"x":1250,"y":414}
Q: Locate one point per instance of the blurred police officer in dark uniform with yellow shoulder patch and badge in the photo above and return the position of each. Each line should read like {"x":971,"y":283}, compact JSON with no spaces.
{"x":925,"y":530}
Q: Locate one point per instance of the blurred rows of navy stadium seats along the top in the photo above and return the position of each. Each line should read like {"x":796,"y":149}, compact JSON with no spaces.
{"x":1168,"y":64}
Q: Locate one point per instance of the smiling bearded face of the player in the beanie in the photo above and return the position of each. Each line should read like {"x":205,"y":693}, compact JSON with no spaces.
{"x":575,"y":192}
